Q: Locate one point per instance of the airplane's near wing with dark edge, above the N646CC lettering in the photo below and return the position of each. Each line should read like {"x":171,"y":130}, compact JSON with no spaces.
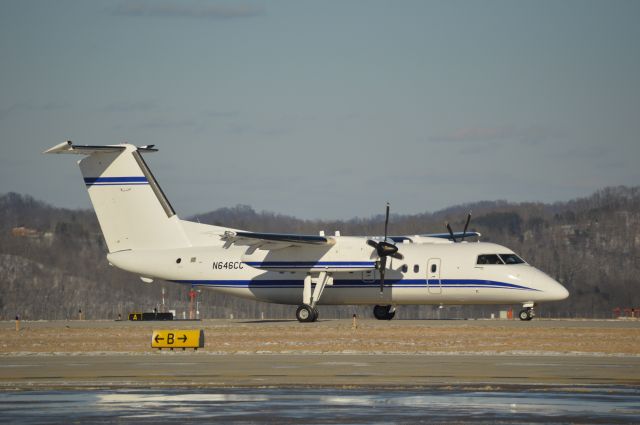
{"x":273,"y":240}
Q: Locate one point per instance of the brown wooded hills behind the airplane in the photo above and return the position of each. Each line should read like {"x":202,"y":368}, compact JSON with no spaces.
{"x":52,"y":260}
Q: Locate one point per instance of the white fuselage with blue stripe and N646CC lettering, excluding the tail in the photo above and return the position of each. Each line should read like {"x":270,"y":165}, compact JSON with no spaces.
{"x":459,"y":279}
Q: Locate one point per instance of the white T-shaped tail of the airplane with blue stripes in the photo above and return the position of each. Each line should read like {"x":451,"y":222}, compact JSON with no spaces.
{"x":132,"y":210}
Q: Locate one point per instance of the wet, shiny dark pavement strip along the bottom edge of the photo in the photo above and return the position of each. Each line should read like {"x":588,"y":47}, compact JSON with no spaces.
{"x":524,"y":404}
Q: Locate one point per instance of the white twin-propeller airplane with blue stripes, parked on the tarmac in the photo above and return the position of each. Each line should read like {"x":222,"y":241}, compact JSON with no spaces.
{"x":145,"y":236}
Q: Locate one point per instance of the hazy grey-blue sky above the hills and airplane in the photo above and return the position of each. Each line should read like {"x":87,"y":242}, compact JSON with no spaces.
{"x":326,"y":109}
